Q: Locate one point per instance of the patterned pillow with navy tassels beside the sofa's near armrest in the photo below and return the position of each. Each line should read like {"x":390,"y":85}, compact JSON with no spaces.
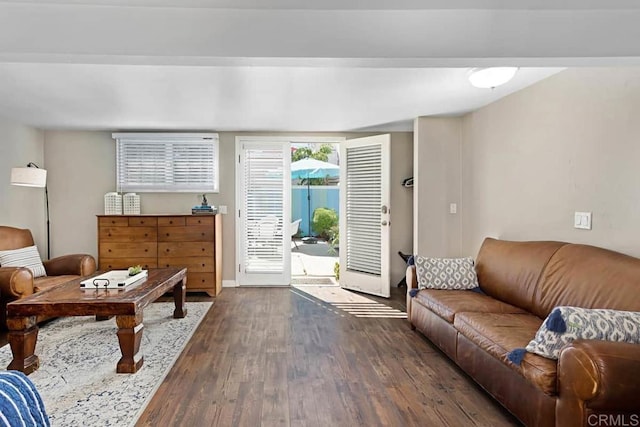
{"x":566,"y":324}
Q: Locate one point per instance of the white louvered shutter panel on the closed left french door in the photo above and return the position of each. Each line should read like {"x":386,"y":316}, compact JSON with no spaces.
{"x":264,"y":170}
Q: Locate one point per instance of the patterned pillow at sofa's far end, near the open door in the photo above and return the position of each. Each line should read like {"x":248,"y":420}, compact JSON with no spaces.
{"x":446,"y":273}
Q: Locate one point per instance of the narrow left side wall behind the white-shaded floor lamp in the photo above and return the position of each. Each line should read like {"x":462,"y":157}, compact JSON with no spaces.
{"x":22,"y":207}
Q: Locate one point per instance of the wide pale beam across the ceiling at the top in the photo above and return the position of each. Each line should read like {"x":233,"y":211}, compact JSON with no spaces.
{"x":73,"y":33}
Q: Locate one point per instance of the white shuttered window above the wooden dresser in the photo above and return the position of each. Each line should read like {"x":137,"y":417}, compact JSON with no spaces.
{"x":167,"y":162}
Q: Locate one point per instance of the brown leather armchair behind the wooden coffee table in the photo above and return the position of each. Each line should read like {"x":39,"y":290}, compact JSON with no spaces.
{"x":16,"y":282}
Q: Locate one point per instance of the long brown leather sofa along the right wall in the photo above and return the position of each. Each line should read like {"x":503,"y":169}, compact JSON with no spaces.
{"x":592,"y":383}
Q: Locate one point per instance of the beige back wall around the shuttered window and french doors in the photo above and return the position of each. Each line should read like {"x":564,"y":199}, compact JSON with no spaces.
{"x":82,"y":170}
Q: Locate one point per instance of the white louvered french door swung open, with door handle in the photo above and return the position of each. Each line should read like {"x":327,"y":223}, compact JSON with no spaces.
{"x":365,"y":214}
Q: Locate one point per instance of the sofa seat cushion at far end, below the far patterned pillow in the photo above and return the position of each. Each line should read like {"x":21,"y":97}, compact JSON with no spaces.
{"x":447,"y":303}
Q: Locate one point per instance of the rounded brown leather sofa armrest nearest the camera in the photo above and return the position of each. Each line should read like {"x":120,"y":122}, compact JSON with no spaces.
{"x":597,"y":377}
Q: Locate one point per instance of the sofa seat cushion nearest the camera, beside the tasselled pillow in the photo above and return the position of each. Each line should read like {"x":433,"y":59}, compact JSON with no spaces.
{"x":499,"y":333}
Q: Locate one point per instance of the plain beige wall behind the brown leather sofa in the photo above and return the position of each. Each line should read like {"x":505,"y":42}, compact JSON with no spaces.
{"x":568,"y":143}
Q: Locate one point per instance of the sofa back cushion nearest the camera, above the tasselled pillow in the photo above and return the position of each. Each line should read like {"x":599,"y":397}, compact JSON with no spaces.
{"x":590,"y":277}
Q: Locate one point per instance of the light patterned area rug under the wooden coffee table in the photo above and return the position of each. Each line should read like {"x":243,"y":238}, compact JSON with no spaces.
{"x":77,"y":377}
